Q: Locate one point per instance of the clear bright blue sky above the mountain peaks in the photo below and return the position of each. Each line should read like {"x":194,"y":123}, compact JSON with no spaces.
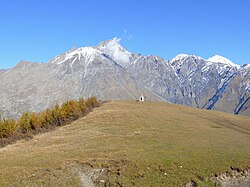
{"x":38,"y":30}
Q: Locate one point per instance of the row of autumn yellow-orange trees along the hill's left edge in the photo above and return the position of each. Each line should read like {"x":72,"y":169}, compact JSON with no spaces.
{"x":31,"y":123}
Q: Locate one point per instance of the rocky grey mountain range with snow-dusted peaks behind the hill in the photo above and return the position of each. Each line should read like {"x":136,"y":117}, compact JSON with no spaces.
{"x":110,"y":72}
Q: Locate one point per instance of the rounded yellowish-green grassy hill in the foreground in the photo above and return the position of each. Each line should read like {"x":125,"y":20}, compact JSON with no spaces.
{"x":130,"y":143}
